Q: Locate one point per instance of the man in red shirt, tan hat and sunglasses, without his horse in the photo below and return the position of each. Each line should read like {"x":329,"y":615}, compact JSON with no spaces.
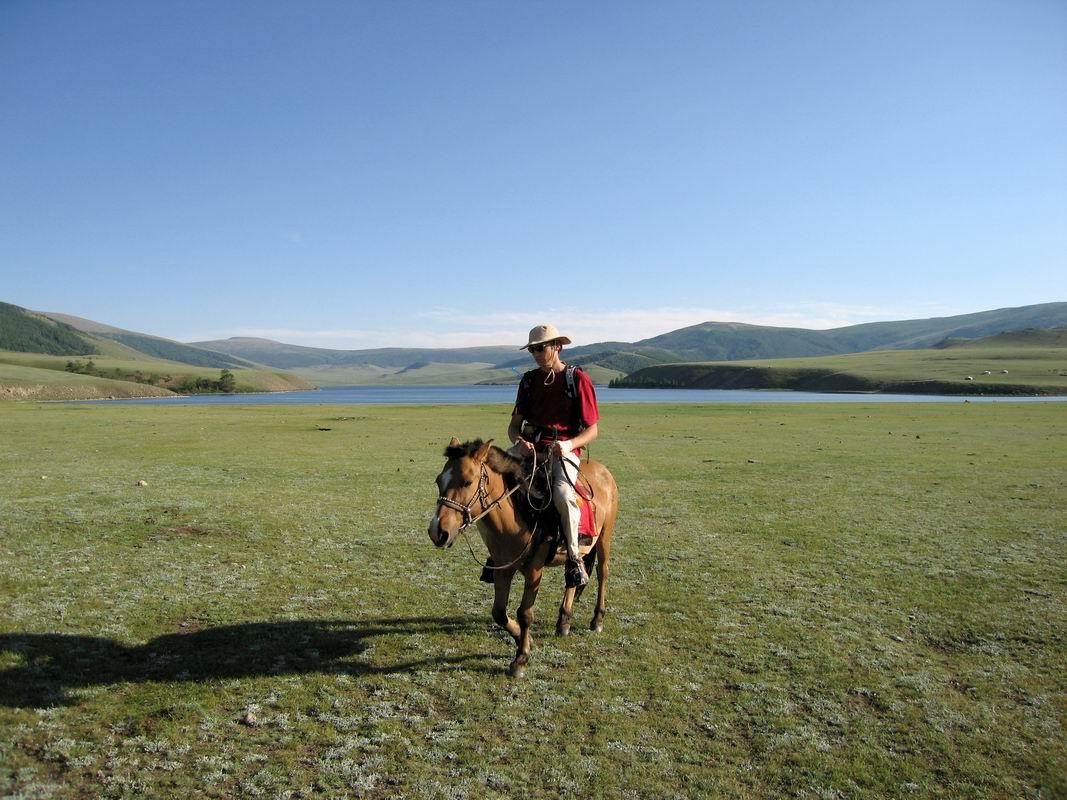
{"x":556,"y":415}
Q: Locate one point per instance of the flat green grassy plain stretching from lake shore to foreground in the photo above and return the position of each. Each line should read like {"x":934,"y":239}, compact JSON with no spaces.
{"x":808,"y":601}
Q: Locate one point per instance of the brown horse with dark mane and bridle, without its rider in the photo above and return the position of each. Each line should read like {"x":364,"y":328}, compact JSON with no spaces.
{"x":480,"y":485}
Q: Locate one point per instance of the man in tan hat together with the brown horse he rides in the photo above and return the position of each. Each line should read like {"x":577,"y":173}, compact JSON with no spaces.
{"x":555,"y":417}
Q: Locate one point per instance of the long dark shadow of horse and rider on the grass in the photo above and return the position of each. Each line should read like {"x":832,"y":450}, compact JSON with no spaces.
{"x":52,"y":665}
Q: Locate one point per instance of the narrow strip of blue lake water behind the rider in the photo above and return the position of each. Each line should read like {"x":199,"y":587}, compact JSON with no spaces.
{"x":477,"y":395}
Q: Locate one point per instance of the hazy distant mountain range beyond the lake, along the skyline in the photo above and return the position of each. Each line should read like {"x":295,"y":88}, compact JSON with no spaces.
{"x":709,"y":342}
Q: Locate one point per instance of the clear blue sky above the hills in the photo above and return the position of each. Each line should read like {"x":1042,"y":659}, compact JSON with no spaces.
{"x":370,"y":174}
